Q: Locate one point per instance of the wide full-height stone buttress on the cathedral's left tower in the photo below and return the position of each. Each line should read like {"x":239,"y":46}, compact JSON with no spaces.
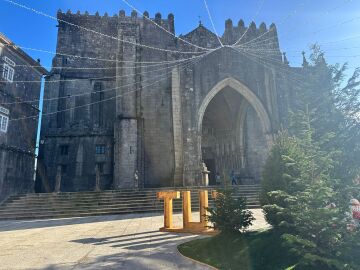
{"x":126,"y":125}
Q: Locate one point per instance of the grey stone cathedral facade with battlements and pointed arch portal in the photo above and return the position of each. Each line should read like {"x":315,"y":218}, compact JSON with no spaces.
{"x":150,"y":118}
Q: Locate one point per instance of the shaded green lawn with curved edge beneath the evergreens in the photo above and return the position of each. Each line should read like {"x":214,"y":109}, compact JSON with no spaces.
{"x":253,"y":250}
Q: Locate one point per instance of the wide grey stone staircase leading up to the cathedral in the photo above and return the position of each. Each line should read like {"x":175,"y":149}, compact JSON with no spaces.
{"x":79,"y":204}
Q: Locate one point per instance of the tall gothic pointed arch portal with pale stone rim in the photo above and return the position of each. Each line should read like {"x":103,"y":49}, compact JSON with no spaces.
{"x":234,"y":130}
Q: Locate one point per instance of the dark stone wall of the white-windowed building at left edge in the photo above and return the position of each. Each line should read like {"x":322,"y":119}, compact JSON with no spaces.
{"x":21,"y":98}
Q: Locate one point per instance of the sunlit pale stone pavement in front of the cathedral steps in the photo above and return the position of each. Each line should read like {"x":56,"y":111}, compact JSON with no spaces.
{"x":104,"y":242}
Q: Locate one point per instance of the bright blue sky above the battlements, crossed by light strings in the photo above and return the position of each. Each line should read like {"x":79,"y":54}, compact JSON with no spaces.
{"x":335,"y":24}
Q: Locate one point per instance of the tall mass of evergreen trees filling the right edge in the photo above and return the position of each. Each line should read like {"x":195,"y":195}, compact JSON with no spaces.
{"x":312,"y":166}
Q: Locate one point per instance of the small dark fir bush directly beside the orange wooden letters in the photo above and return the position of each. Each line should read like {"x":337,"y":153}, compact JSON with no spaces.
{"x":229,"y":213}
